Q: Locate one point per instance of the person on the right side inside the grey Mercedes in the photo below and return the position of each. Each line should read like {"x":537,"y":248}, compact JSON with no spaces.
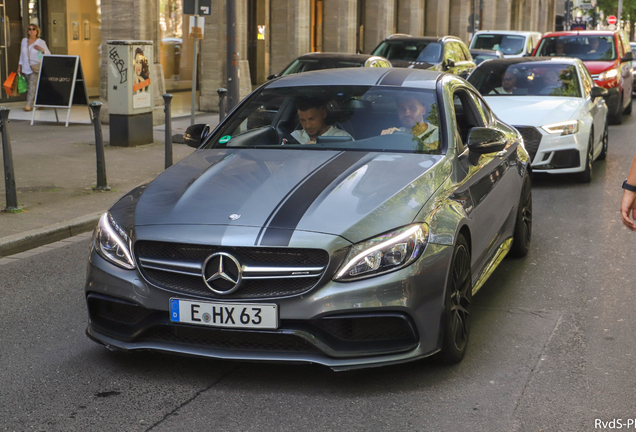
{"x":411,"y":113}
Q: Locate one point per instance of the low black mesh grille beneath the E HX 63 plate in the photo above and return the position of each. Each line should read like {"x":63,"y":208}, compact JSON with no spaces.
{"x":227,"y":339}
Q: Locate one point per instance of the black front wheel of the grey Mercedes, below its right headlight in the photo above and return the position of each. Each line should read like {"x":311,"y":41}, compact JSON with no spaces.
{"x":457,"y":300}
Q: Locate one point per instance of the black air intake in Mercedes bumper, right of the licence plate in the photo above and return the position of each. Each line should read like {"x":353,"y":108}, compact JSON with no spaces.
{"x":375,"y":328}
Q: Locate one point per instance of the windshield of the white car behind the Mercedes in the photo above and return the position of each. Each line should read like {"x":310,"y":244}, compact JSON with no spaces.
{"x":526,"y":79}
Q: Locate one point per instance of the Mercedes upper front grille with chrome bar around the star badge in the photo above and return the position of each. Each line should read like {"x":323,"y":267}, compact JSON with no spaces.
{"x":178,"y":267}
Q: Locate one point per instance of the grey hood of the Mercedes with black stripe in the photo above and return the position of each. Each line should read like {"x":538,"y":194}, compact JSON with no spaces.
{"x":355,"y":195}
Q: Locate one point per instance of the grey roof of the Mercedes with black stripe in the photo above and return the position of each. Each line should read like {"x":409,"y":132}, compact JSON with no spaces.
{"x":395,"y":77}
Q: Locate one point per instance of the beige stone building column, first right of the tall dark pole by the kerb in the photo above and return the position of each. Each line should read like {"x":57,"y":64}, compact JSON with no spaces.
{"x":290,"y":32}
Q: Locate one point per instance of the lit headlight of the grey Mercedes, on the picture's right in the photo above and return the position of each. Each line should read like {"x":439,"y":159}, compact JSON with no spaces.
{"x":385,"y":253}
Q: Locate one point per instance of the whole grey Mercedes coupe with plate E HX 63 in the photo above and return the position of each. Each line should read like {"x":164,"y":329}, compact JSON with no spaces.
{"x":343,"y":217}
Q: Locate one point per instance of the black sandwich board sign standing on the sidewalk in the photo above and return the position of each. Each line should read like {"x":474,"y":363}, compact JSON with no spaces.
{"x":61,"y":84}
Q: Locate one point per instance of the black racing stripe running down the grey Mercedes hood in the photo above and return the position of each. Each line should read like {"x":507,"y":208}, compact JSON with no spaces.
{"x":285,"y":221}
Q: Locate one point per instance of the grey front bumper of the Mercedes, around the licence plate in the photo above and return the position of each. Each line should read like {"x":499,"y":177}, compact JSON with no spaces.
{"x":388,"y":319}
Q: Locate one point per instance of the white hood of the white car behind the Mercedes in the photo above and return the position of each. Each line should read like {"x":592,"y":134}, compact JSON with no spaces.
{"x":533,"y":110}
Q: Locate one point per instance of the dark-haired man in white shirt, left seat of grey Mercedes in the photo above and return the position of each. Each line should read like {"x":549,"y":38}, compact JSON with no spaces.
{"x":312,"y":114}
